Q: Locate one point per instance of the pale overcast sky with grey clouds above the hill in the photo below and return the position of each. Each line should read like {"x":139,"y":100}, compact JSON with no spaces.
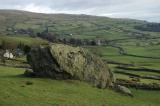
{"x":137,"y":9}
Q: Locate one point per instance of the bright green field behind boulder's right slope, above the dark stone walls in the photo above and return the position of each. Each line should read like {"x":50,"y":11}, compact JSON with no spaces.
{"x":112,"y":54}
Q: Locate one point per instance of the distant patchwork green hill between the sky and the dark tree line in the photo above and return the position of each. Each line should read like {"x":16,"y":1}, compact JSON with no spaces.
{"x":14,"y":22}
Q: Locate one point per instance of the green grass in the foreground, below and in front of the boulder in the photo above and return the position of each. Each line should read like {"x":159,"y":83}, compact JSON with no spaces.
{"x":47,"y":92}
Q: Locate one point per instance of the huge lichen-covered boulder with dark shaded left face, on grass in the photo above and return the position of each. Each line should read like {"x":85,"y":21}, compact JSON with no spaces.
{"x":60,"y":61}
